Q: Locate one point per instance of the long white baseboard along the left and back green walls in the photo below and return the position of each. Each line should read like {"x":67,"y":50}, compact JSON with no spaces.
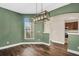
{"x":5,"y":47}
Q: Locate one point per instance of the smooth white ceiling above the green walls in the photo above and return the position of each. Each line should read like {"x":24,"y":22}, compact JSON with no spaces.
{"x":30,"y":8}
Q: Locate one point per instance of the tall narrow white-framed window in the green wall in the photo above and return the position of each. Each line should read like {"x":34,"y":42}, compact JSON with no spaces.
{"x":28,"y":29}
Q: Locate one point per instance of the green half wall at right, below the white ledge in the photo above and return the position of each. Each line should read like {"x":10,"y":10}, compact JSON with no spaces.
{"x":73,"y":42}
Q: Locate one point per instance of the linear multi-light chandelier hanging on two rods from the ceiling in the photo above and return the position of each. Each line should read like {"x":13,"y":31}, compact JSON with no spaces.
{"x":42,"y":16}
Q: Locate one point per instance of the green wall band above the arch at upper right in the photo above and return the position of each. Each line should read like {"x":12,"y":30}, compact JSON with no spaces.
{"x":70,"y":8}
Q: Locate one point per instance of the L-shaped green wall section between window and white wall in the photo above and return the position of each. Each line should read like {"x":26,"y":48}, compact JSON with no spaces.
{"x":39,"y":32}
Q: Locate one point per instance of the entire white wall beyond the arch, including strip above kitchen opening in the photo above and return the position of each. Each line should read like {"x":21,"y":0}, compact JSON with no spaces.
{"x":56,"y":26}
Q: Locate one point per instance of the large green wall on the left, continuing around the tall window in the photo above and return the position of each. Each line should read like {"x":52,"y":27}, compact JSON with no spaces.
{"x":12,"y":28}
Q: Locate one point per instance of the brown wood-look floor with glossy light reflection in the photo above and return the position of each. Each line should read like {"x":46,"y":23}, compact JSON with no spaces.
{"x":37,"y":50}
